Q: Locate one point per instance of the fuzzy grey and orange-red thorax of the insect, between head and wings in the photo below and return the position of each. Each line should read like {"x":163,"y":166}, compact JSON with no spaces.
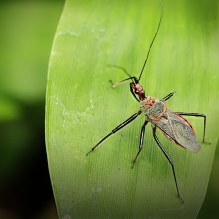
{"x":152,"y":108}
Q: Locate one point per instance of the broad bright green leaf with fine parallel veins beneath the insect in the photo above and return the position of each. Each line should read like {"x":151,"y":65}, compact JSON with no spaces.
{"x":82,"y":107}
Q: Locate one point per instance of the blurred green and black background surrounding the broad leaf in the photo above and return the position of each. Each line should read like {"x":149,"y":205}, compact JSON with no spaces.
{"x":27,"y":31}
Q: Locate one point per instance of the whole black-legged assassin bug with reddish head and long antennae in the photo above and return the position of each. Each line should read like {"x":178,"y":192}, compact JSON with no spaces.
{"x":176,"y":128}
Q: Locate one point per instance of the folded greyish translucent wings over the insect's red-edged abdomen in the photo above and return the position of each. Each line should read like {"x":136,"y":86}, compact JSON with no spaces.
{"x":178,"y":130}
